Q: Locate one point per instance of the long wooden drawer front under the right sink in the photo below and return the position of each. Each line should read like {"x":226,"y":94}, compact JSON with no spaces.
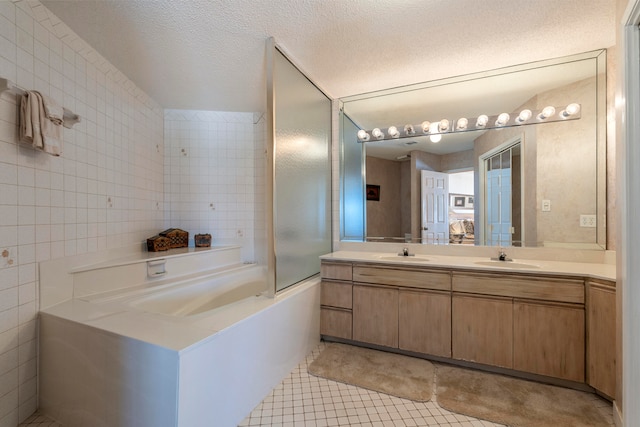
{"x":534,"y":287}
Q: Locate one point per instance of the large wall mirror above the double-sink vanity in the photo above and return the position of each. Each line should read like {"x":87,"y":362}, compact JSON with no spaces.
{"x":532,"y":184}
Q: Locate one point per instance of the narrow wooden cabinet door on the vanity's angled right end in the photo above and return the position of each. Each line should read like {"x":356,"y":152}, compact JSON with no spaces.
{"x":601,"y":359}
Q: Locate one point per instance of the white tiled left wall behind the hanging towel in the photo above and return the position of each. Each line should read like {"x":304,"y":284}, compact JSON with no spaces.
{"x":105,"y":191}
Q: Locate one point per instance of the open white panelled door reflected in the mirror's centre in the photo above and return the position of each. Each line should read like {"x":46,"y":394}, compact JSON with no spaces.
{"x":435,"y":207}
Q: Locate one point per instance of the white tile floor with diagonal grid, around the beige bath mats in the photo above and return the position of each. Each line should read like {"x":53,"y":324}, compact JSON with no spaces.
{"x":304,"y":400}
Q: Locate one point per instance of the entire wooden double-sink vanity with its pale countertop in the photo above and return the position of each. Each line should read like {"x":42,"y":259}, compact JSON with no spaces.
{"x":555,"y":321}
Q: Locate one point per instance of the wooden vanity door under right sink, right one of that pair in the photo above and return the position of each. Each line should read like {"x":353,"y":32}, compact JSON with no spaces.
{"x":549,"y":340}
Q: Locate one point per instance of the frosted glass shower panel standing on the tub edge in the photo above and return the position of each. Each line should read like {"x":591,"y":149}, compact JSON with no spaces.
{"x":302,"y":174}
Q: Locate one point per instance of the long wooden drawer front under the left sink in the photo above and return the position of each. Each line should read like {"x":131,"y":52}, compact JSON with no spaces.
{"x":405,"y":277}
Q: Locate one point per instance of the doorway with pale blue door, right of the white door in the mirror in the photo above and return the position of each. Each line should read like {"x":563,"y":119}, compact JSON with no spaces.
{"x":502,"y":213}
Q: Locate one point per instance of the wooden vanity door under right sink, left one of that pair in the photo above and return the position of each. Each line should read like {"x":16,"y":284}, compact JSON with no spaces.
{"x":482,"y":329}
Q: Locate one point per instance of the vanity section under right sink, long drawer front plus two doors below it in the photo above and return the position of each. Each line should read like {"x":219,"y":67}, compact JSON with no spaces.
{"x":533,"y":324}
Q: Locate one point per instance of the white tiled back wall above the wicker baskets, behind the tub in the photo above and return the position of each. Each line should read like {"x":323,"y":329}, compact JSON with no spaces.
{"x":214,"y":162}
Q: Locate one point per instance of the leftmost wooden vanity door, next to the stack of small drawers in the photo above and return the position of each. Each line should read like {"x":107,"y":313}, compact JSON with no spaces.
{"x":375,"y":315}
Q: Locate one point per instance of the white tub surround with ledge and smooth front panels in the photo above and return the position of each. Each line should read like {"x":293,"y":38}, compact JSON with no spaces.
{"x":106,"y":362}
